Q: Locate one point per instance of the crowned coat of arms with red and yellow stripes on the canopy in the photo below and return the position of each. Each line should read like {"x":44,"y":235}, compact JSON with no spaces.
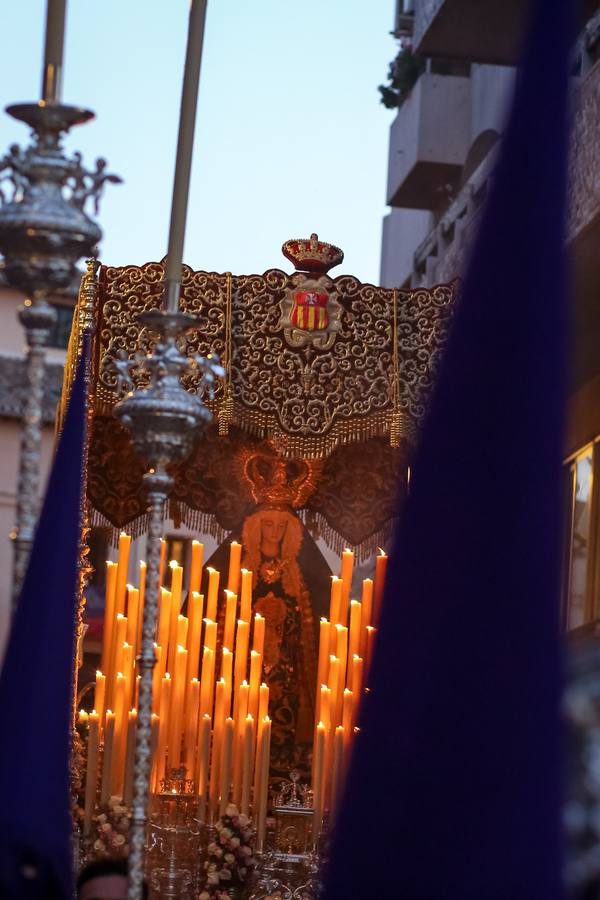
{"x":310,"y":311}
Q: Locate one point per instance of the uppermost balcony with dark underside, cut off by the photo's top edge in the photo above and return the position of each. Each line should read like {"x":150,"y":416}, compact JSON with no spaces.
{"x":483,"y":31}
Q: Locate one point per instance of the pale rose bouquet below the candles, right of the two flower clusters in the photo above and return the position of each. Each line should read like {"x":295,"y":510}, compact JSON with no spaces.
{"x":230,"y":862}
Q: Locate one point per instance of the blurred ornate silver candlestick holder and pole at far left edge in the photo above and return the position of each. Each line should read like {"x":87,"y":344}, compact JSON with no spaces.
{"x":44,"y":231}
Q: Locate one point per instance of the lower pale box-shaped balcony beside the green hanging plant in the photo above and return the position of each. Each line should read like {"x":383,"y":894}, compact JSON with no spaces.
{"x":429,"y":141}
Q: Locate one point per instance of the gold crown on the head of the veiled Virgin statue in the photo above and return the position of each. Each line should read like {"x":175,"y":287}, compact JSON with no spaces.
{"x":276,"y":482}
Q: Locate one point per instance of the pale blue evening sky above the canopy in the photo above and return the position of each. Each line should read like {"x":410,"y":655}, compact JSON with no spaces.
{"x":290,"y":137}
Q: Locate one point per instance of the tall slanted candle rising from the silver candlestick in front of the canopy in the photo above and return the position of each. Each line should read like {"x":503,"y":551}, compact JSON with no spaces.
{"x":185,"y":143}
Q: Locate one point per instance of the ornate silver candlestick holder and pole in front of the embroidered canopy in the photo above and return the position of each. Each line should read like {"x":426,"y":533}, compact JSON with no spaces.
{"x":163,"y":419}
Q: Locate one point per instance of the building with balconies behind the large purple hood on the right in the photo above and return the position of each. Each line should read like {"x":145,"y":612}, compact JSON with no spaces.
{"x":443,"y":146}
